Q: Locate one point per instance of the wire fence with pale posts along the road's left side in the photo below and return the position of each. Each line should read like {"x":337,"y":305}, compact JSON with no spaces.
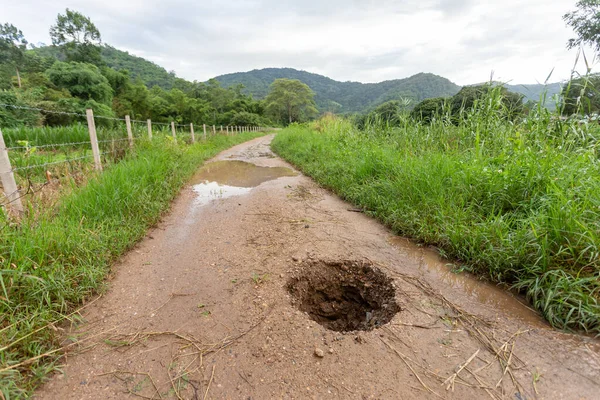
{"x":30,"y":157}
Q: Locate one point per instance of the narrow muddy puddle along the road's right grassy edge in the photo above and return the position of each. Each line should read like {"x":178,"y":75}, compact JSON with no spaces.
{"x":432,"y":264}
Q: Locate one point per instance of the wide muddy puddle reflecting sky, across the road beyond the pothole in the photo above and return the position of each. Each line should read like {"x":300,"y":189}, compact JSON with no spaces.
{"x":223,"y":179}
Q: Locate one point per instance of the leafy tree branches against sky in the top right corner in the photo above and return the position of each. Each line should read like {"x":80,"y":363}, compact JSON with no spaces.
{"x":585,"y":21}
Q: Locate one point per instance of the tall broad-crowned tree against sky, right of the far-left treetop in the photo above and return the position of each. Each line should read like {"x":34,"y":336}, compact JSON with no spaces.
{"x":79,"y":37}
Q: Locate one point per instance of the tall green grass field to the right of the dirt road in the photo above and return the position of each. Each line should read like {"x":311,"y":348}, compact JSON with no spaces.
{"x":515,"y":202}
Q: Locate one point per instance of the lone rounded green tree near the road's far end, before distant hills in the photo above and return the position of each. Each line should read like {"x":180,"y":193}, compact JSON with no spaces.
{"x":290,"y":100}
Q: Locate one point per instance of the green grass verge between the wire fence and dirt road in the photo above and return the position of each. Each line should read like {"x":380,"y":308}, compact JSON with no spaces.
{"x":57,"y":257}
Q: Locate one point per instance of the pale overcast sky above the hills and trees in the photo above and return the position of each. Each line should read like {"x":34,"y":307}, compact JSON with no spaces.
{"x":359,"y":40}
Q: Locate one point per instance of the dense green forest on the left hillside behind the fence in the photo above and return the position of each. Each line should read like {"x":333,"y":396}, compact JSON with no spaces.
{"x":47,"y":85}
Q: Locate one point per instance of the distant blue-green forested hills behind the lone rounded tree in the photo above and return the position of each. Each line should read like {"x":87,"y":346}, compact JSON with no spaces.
{"x":345,"y":97}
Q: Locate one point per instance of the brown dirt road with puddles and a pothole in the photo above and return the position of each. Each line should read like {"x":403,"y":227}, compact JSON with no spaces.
{"x":247,"y":288}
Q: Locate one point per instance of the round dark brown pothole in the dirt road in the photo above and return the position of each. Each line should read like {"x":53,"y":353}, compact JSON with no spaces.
{"x":344,"y":296}
